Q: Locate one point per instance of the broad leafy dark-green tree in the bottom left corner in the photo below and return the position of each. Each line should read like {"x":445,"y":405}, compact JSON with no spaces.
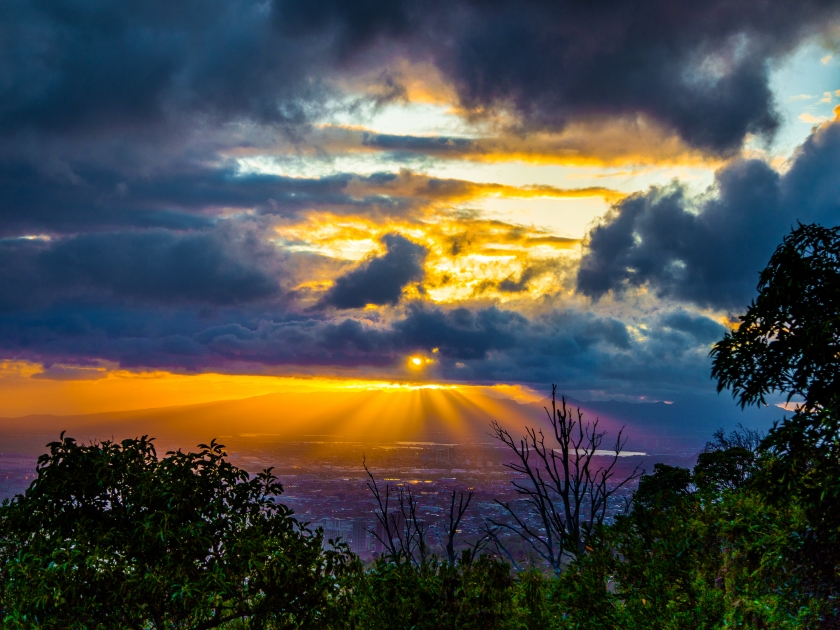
{"x":109,"y":535}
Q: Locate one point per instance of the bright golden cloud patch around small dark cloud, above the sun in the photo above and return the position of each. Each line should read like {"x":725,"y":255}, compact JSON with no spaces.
{"x":468,"y":257}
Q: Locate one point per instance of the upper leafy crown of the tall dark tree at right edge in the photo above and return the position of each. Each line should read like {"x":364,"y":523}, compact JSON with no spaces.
{"x":789,"y":339}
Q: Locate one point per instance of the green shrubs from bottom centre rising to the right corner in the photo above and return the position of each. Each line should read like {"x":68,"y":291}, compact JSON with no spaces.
{"x":702,"y":548}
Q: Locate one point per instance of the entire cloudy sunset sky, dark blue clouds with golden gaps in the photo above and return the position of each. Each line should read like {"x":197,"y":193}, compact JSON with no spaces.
{"x":227,"y":198}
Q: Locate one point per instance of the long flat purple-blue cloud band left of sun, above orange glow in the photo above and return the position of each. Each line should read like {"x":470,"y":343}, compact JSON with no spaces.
{"x":178,"y":338}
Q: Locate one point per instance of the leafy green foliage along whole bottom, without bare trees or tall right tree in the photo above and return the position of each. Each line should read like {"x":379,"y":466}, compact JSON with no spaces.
{"x":110,"y":536}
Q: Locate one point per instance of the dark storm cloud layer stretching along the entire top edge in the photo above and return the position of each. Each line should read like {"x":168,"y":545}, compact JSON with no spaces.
{"x":98,"y":67}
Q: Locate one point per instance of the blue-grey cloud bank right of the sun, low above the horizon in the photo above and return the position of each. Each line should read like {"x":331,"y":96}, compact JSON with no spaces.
{"x":579,"y":350}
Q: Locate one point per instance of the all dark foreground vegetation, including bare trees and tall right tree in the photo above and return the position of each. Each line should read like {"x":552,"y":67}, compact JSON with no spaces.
{"x":112,"y":536}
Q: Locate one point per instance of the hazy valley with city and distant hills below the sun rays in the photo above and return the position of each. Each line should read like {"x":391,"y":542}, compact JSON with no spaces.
{"x":431,"y":441}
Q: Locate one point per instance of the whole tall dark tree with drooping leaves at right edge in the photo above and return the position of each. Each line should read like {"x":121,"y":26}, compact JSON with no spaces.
{"x":789,"y":342}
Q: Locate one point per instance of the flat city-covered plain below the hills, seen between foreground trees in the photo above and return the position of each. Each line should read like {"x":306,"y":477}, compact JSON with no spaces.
{"x":325,"y":482}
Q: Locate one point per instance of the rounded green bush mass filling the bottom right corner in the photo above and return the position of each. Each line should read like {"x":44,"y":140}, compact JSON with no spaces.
{"x":702,"y":557}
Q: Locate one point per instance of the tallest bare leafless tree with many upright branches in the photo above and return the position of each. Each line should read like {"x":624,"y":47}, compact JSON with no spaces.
{"x":565,"y":490}
